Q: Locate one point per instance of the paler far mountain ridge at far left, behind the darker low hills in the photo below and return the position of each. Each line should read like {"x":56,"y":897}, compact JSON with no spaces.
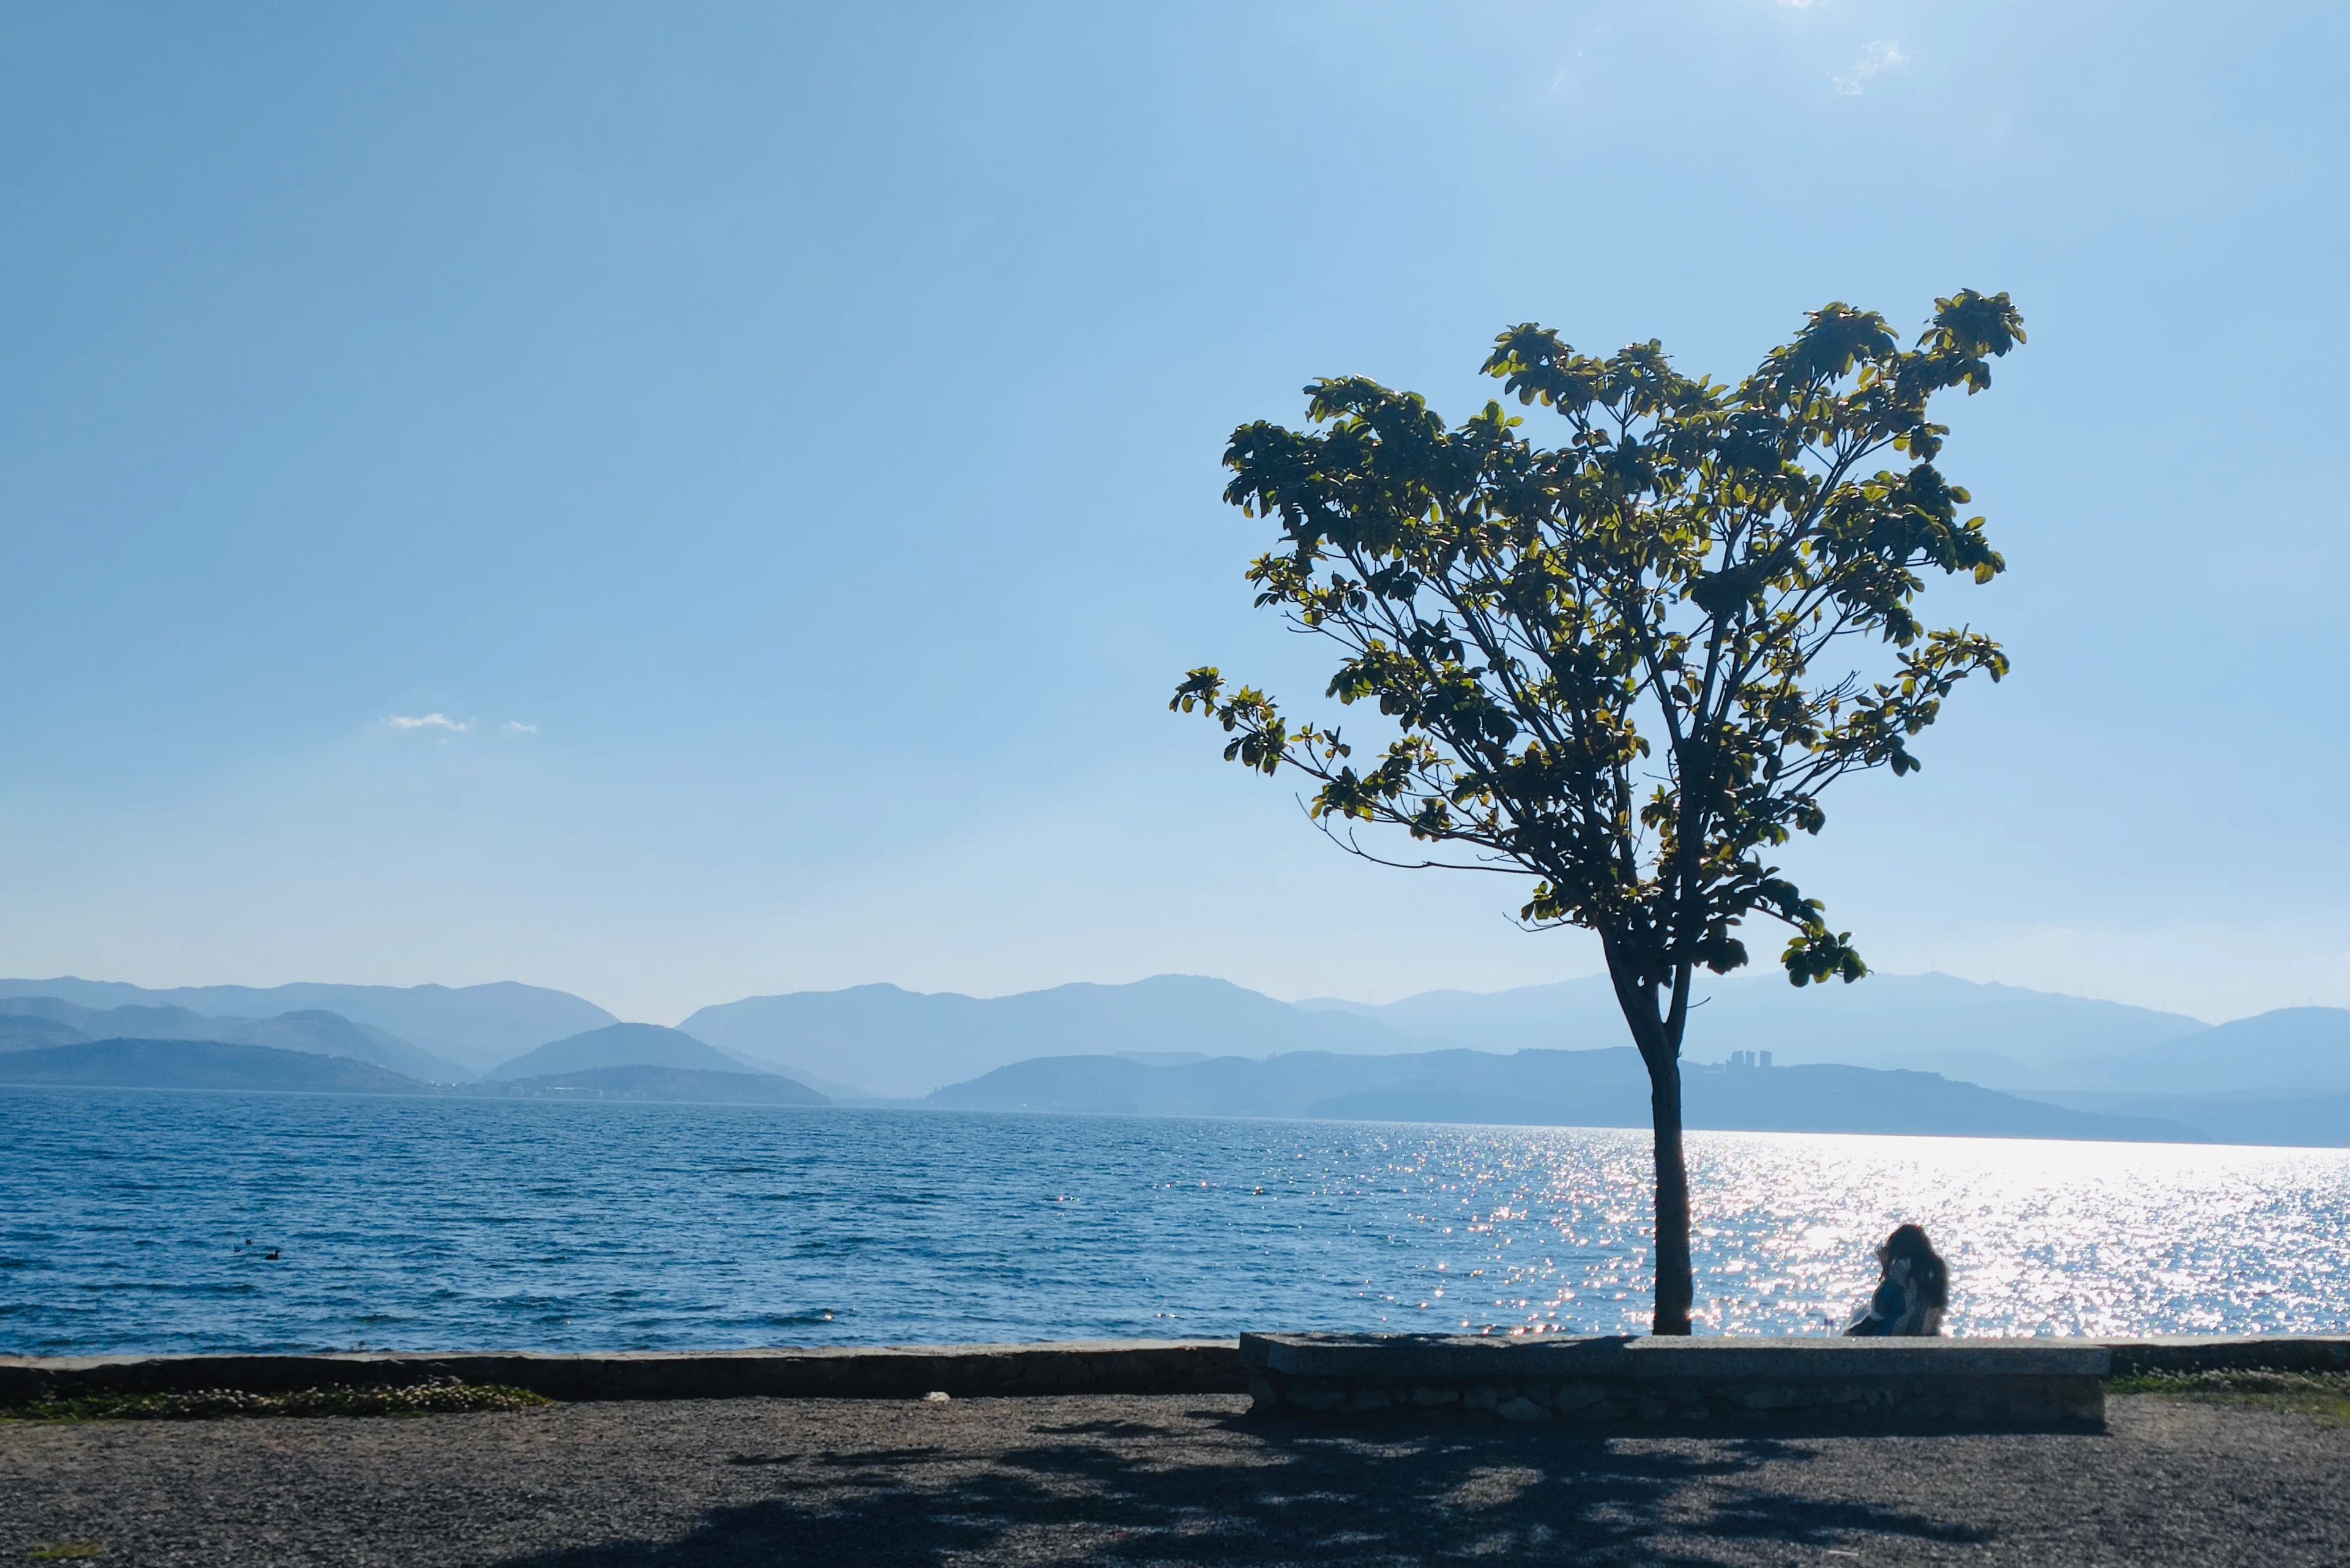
{"x":474,"y":1026}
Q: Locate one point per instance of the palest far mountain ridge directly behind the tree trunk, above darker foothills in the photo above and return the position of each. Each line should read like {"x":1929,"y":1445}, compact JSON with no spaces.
{"x":1886,"y":1021}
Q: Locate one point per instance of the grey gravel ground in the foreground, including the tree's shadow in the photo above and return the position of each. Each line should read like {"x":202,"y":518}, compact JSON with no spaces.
{"x":1157,"y":1482}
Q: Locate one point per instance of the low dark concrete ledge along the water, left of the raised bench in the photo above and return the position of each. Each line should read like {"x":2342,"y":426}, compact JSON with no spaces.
{"x":1087,"y":1367}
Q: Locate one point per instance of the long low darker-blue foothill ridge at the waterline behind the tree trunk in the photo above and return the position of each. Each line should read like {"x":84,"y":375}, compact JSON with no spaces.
{"x":1540,"y":1090}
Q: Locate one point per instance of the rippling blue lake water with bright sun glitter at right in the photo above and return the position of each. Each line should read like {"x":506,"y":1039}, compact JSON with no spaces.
{"x":525,"y":1224}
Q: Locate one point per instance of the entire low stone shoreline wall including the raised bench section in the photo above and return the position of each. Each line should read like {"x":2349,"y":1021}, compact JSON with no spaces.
{"x":1604,"y":1381}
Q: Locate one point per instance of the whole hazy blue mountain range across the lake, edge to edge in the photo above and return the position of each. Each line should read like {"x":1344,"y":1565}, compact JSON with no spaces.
{"x":1190,"y":1045}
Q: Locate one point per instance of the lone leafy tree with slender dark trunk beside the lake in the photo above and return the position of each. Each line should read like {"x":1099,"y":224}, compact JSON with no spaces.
{"x":1627,"y":666}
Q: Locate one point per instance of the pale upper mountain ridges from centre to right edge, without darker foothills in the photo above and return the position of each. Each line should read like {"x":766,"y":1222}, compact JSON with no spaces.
{"x":901,"y":1045}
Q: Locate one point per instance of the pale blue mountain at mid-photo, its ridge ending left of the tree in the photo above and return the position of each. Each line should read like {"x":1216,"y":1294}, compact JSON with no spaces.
{"x":904,"y":1045}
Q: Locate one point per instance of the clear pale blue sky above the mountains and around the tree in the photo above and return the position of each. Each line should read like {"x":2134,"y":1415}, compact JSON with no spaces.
{"x":680,"y":502}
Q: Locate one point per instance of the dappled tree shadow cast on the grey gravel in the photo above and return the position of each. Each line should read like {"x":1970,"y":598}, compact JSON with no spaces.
{"x":1235,"y":1492}
